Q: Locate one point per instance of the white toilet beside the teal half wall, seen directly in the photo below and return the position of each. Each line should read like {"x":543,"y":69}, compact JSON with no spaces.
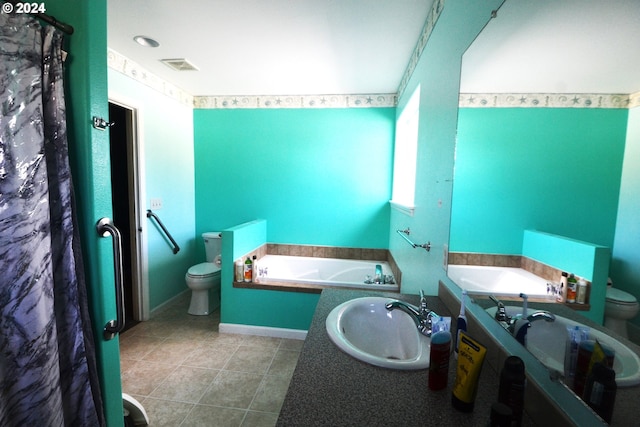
{"x":202,"y":277}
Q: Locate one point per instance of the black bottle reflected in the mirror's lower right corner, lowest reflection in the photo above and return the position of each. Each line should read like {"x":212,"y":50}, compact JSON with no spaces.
{"x":600,"y":391}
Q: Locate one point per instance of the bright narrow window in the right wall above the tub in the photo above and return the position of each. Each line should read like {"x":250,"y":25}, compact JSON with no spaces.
{"x":405,"y":155}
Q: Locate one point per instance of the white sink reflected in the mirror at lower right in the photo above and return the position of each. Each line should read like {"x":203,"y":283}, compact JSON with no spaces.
{"x":546,"y":341}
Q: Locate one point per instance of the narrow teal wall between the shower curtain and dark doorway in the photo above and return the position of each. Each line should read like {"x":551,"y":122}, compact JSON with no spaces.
{"x":86,"y":96}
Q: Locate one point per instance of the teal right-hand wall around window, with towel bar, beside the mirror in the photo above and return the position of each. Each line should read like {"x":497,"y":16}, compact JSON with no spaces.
{"x":438,"y":74}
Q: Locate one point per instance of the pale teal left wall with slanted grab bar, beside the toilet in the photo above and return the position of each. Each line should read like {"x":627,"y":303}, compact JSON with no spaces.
{"x":166,"y":141}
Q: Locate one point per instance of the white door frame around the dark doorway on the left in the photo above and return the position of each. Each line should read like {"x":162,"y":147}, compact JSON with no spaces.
{"x":138,"y":217}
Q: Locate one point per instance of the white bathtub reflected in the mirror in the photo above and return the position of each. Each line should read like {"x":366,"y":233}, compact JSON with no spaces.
{"x":503,"y":281}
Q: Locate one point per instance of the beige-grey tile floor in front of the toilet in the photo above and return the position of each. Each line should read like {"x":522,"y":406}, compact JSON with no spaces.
{"x":186,"y":373}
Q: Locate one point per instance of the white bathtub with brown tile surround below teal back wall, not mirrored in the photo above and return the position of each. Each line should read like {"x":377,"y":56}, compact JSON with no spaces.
{"x":328,"y":272}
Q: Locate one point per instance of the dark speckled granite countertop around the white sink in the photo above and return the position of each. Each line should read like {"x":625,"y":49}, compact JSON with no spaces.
{"x":330,"y":388}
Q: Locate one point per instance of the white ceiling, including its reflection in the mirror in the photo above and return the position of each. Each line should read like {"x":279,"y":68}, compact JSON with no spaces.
{"x":307,"y":47}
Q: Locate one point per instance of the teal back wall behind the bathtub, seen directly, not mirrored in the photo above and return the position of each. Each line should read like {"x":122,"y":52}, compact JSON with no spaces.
{"x":318,"y":176}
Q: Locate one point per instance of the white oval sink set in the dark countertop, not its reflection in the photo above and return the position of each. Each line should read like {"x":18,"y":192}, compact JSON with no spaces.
{"x":364,"y":329}
